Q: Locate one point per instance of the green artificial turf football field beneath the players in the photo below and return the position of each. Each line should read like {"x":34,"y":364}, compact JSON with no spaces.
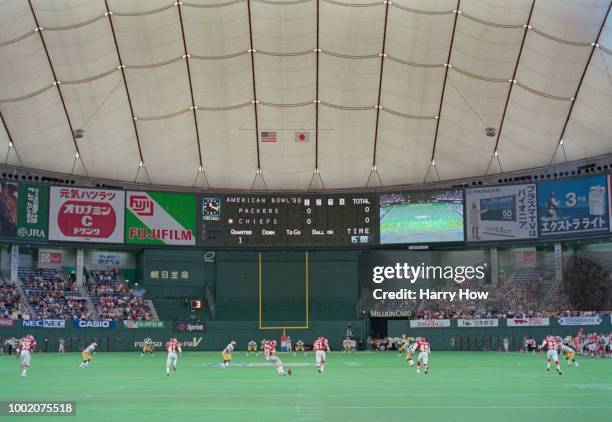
{"x":461,"y":386}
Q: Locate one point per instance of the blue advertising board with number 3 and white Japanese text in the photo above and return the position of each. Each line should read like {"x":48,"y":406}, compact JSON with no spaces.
{"x":573,"y":206}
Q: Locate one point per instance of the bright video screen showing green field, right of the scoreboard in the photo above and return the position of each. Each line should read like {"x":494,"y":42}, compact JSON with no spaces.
{"x":412,"y":223}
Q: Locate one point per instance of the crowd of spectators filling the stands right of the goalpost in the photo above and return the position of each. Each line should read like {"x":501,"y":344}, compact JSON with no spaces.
{"x":523,"y":293}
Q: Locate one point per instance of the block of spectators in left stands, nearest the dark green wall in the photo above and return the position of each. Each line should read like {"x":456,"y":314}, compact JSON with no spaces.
{"x":114,"y":299}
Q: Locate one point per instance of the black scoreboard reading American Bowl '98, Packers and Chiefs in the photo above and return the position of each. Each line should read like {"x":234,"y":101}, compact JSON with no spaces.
{"x":349,"y":219}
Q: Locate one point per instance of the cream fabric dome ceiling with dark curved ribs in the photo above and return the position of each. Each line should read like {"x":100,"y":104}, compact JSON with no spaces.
{"x":387,"y":92}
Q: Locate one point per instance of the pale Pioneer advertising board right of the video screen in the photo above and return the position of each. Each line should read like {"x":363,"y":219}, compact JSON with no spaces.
{"x":501,"y":213}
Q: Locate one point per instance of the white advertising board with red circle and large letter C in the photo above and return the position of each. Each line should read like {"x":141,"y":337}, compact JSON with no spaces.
{"x":86,"y":215}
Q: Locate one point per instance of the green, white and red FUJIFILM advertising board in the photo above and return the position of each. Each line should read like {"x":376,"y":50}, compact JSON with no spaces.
{"x":160,"y":218}
